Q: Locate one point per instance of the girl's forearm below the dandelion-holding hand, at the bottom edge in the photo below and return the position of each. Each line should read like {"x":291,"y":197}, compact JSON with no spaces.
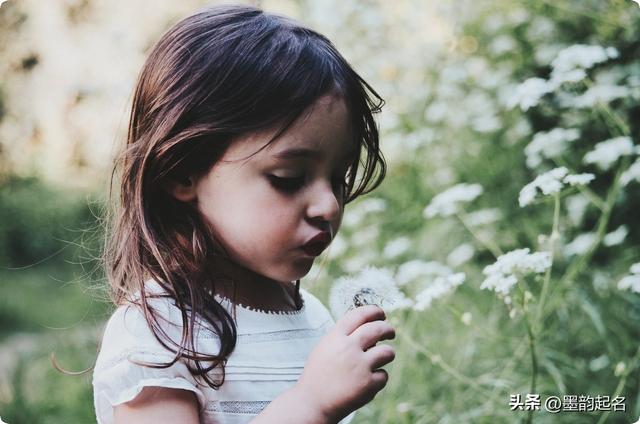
{"x":292,"y":407}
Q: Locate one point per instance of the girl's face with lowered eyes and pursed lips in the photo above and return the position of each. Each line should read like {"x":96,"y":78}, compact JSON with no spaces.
{"x":266,"y":207}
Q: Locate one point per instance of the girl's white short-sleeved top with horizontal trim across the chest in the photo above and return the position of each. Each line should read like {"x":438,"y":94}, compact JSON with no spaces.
{"x":270,"y":354}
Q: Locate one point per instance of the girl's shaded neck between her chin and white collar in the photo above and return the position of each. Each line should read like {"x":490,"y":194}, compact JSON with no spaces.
{"x":248,"y":288}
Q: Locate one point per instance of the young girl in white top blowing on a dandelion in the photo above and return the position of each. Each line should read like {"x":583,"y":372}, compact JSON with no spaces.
{"x":246,"y":134}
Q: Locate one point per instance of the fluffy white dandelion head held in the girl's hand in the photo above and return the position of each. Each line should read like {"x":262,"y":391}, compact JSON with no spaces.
{"x":370,"y":286}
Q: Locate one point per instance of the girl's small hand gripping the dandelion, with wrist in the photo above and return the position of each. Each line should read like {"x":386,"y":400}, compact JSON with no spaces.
{"x":341,"y":373}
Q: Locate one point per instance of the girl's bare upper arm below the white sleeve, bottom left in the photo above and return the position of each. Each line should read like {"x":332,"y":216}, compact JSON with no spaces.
{"x":158,"y":405}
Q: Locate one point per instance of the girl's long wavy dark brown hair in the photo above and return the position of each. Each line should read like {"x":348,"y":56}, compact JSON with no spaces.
{"x":221,"y":73}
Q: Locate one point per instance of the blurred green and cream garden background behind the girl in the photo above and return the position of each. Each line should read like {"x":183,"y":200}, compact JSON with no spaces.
{"x":449,"y":73}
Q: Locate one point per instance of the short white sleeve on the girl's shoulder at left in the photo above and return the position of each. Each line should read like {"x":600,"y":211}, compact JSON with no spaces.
{"x":128,"y":337}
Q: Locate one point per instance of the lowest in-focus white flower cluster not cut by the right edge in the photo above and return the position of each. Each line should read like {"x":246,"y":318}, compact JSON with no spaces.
{"x":502,"y":275}
